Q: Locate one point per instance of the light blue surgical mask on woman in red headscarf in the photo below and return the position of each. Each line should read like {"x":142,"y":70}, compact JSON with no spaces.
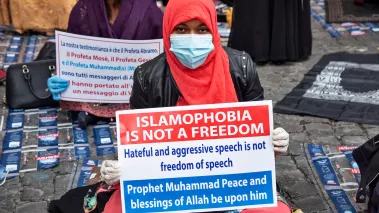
{"x":191,"y":49}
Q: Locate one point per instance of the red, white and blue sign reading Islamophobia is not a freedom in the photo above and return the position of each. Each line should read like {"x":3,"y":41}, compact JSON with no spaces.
{"x":197,"y":158}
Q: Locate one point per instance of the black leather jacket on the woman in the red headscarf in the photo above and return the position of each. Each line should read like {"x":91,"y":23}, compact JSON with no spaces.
{"x":154,"y":85}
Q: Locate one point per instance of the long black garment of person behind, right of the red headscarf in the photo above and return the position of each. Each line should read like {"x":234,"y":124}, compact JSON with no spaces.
{"x":272,"y":30}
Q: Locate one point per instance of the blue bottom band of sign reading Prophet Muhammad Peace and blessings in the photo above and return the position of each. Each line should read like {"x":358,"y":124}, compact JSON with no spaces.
{"x":190,"y":193}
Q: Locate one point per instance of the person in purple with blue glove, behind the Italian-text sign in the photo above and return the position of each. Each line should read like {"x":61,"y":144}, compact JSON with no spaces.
{"x":118,"y":19}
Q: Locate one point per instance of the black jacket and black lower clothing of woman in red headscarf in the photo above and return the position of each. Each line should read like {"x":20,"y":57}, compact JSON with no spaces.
{"x":153,"y":87}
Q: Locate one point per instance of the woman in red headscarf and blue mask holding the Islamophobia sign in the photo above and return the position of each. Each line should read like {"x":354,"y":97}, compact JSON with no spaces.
{"x":195,"y":69}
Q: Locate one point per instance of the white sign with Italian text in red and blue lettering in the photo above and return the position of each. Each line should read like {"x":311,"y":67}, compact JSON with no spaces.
{"x":100,"y":70}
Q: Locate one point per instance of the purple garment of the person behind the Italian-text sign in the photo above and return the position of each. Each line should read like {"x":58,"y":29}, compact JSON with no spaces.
{"x":136,"y":20}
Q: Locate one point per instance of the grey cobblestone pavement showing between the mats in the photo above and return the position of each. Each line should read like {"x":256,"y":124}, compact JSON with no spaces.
{"x":32,"y":192}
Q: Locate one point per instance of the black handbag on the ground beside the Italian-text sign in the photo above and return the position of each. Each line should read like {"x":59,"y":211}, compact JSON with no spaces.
{"x":26,"y":85}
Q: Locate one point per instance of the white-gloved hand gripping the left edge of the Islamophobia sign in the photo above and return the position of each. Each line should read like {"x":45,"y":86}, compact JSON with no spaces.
{"x":110,"y":171}
